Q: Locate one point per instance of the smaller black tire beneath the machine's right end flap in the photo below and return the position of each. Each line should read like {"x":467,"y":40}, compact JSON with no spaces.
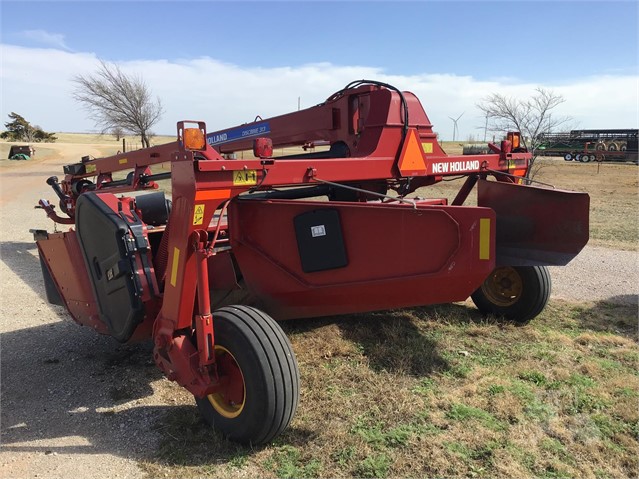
{"x":534,"y":293}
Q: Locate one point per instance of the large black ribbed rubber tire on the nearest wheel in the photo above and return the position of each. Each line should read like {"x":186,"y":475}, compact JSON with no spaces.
{"x":269,"y":372}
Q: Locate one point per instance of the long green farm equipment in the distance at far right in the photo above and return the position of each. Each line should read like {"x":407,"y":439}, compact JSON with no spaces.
{"x":591,"y":145}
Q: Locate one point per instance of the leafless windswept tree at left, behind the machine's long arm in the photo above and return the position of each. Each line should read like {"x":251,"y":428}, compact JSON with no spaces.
{"x":116,"y":100}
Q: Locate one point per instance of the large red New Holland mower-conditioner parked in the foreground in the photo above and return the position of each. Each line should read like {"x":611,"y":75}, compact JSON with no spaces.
{"x":306,"y":234}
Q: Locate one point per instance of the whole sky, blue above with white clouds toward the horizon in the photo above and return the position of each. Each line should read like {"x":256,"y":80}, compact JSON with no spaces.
{"x":225,"y":62}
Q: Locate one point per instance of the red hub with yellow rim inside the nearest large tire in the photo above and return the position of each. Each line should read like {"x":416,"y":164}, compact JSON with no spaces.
{"x":230,"y":399}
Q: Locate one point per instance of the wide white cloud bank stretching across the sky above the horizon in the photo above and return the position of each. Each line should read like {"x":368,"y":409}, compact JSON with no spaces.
{"x":37,"y":84}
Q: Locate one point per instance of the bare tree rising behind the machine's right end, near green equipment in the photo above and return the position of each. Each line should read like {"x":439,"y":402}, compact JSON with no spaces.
{"x":533,"y":117}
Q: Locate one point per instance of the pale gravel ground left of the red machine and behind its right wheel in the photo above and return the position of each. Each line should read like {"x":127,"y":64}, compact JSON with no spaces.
{"x":76,"y":404}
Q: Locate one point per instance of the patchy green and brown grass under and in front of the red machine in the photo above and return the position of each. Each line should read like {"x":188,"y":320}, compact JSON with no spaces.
{"x":441,"y":392}
